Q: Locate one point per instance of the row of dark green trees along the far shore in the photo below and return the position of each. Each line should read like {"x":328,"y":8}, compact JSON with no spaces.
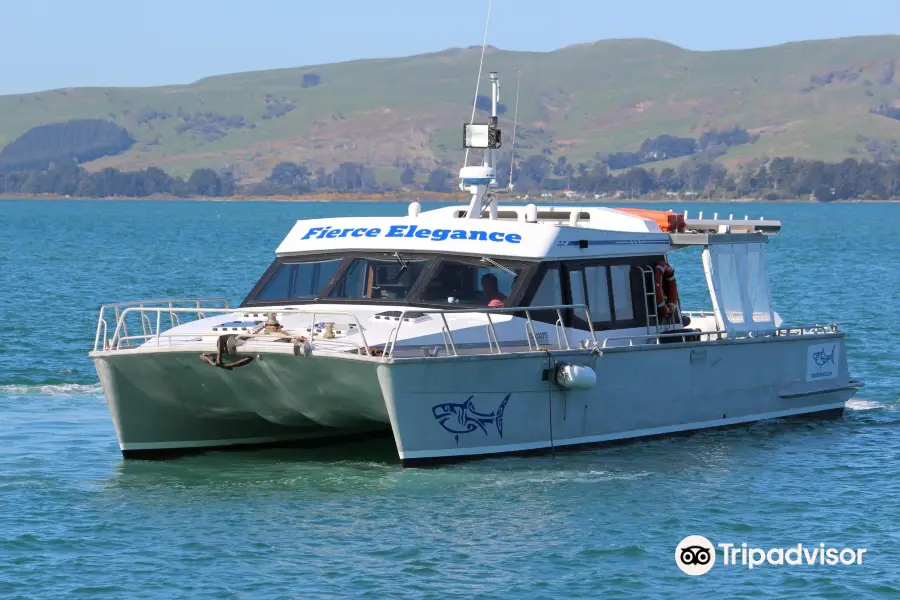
{"x":698,"y":176}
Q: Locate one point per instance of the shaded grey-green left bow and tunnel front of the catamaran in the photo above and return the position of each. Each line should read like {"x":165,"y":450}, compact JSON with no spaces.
{"x":166,"y":401}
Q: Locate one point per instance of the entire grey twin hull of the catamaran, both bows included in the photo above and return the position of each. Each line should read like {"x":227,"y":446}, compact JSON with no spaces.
{"x":166,"y":401}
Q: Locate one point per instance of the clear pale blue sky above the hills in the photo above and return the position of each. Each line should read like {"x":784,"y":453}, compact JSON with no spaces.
{"x":47,"y":44}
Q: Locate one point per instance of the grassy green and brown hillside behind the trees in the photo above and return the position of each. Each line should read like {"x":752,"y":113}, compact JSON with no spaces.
{"x":807,"y":99}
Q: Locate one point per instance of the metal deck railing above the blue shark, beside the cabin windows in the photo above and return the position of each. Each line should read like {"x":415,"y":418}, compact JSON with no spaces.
{"x":451,"y":345}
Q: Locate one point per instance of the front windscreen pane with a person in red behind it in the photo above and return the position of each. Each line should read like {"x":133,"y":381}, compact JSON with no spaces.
{"x":469,"y":284}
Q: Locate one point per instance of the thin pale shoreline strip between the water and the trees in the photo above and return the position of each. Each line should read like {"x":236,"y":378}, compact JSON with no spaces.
{"x":429,"y":197}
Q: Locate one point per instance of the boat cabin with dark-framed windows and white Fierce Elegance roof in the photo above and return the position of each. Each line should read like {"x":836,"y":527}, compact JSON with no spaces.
{"x":602,"y":258}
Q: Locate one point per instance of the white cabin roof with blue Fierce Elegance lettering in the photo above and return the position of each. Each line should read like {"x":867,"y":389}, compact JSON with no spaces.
{"x":597,"y":232}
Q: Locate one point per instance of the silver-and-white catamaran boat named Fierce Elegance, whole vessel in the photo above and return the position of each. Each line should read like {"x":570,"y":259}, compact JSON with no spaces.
{"x":470,"y":331}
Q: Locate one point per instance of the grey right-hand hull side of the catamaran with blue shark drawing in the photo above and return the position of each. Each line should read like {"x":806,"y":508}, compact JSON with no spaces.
{"x":642,"y":391}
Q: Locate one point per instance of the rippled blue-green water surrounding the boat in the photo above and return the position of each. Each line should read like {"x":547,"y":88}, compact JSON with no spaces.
{"x":78,"y":521}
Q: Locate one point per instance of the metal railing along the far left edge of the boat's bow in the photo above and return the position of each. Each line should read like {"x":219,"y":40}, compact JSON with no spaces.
{"x":197,"y":306}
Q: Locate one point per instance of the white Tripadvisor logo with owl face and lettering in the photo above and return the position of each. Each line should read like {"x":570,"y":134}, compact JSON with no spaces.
{"x":696,"y":555}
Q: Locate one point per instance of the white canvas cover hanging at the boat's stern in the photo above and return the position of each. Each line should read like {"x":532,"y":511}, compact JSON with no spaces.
{"x":738,"y":280}
